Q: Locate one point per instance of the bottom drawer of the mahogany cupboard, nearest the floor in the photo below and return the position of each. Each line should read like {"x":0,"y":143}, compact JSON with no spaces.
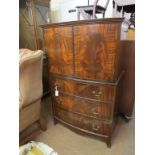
{"x":85,"y":123}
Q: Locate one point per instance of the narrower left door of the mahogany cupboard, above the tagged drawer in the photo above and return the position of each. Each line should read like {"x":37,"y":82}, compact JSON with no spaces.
{"x":58,"y":44}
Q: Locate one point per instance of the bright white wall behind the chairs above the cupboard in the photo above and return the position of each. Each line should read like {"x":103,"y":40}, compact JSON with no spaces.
{"x":60,"y":8}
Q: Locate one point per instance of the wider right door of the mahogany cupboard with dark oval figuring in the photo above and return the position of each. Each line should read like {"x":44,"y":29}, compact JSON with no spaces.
{"x":95,"y":51}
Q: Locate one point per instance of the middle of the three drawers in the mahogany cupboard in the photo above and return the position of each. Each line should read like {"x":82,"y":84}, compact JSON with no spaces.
{"x":99,"y":110}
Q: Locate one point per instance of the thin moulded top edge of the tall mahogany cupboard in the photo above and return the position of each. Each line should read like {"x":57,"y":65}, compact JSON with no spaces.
{"x":92,"y":21}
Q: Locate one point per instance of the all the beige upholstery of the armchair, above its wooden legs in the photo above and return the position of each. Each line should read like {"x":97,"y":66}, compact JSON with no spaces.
{"x":30,"y":86}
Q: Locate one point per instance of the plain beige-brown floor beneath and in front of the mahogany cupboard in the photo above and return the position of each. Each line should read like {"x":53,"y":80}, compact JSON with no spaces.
{"x":66,"y":142}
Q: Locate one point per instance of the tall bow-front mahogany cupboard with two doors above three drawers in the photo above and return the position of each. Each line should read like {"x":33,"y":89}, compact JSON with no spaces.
{"x":85,"y":66}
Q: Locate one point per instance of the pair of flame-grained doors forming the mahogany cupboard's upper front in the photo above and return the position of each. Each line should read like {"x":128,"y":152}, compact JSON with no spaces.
{"x":86,"y":52}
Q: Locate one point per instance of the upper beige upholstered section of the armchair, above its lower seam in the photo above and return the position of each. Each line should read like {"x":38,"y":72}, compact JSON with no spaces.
{"x":30,"y":76}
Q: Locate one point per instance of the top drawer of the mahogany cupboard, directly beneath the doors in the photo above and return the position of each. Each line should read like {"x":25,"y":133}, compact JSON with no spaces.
{"x":98,"y":92}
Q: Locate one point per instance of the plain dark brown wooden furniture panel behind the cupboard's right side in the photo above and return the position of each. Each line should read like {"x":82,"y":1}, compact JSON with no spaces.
{"x":127,"y":99}
